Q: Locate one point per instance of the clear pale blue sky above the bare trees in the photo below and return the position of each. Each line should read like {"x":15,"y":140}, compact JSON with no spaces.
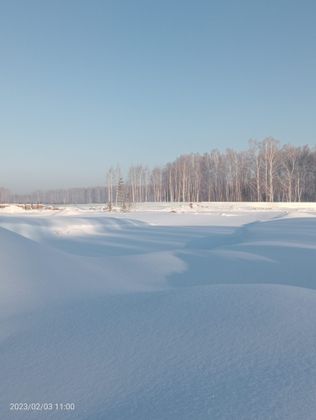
{"x":87,"y":84}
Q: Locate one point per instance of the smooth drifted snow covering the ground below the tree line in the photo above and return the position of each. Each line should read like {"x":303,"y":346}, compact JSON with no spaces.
{"x":165,"y":312}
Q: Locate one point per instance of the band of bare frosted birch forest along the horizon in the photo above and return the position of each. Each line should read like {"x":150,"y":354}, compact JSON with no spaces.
{"x":266,"y":171}
